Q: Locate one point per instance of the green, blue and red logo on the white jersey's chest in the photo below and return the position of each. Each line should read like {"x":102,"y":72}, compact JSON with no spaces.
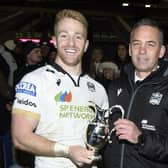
{"x":63,"y":97}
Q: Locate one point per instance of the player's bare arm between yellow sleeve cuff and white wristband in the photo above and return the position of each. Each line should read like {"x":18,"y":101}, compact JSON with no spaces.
{"x":25,"y":139}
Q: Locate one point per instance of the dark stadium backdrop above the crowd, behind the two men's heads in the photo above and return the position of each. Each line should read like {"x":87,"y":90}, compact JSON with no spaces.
{"x":109,"y":21}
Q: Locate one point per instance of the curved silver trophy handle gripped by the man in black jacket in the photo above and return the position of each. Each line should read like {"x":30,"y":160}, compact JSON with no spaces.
{"x":111,"y":112}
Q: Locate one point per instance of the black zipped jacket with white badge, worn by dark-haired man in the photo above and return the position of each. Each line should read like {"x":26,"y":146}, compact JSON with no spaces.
{"x":147,"y":106}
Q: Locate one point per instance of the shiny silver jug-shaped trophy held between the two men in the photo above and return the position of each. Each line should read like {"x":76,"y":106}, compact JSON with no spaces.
{"x":98,"y":133}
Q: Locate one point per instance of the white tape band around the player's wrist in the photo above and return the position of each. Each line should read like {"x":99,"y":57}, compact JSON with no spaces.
{"x":61,"y":150}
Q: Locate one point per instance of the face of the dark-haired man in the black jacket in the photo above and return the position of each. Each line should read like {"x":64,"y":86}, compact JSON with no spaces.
{"x":145,"y":49}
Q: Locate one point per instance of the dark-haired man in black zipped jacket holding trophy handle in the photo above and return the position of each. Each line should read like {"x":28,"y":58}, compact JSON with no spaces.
{"x":141,"y":138}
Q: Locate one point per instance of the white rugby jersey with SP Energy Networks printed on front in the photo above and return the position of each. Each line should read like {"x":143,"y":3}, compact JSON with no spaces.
{"x":61,"y":105}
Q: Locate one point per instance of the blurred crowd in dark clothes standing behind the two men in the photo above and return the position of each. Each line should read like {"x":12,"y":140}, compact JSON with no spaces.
{"x":19,"y":58}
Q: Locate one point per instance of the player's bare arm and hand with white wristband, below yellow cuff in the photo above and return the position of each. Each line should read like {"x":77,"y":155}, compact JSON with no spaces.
{"x":25,"y":139}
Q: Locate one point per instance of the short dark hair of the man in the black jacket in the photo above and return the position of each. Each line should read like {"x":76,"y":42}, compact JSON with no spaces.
{"x":148,"y":22}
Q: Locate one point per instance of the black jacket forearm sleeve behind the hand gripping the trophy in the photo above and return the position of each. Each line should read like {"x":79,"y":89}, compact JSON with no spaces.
{"x":154,"y":145}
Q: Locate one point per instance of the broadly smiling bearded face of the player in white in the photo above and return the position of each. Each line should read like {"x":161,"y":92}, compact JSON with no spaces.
{"x":71,"y":42}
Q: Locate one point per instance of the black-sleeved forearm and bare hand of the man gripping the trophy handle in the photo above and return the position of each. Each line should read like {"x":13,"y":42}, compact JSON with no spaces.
{"x":150,"y":144}
